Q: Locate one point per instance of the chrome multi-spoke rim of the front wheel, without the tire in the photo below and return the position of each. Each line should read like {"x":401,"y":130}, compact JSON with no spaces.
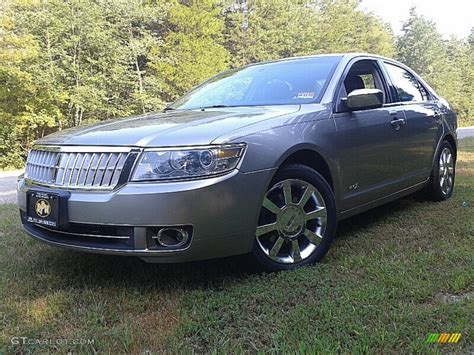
{"x":292,"y":221}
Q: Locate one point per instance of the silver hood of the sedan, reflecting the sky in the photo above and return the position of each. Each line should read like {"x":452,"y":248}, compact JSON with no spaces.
{"x":174,"y":128}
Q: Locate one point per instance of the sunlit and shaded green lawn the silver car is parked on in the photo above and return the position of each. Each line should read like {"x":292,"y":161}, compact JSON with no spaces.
{"x":393,"y":276}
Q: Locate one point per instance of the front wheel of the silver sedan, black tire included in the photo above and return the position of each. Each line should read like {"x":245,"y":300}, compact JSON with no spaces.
{"x":304,"y":212}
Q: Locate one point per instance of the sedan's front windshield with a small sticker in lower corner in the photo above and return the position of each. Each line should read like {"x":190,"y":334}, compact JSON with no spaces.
{"x":288,"y":82}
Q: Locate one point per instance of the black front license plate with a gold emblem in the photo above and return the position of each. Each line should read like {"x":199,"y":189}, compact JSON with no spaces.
{"x":43,"y":208}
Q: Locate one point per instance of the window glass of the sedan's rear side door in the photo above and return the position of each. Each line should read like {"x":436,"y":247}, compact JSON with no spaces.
{"x":407,"y":86}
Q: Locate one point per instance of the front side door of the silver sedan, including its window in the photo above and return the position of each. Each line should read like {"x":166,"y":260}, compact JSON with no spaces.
{"x":371,"y":143}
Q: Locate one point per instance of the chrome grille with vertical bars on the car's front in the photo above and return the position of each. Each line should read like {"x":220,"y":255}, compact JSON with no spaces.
{"x":75,"y":169}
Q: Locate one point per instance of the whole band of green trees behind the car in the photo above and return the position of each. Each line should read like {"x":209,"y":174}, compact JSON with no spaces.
{"x":67,"y":63}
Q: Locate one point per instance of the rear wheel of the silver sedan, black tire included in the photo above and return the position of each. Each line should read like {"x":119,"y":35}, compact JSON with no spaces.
{"x":441,"y":183}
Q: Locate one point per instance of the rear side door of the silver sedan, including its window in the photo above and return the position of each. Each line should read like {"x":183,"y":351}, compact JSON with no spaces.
{"x":423,"y":116}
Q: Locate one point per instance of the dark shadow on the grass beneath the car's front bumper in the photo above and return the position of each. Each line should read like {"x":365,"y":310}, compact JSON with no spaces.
{"x":83,"y":270}
